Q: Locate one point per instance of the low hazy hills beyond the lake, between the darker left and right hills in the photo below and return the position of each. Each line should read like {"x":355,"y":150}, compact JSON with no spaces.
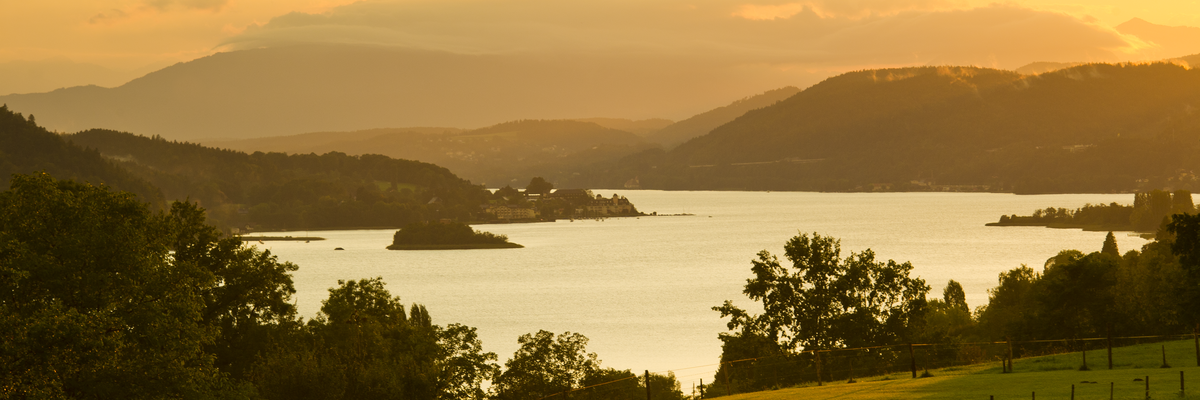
{"x":514,"y":152}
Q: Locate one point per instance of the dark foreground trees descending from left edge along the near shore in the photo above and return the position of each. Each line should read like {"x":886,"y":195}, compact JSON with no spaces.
{"x":104,"y":298}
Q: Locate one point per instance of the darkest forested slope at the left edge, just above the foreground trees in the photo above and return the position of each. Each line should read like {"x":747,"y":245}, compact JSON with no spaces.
{"x":28,"y":148}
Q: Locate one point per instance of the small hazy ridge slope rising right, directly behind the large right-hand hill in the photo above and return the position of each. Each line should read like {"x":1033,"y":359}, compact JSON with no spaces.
{"x":701,"y":124}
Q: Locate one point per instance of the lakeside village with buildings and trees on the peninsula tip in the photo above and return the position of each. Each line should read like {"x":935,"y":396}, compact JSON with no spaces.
{"x":531,"y":206}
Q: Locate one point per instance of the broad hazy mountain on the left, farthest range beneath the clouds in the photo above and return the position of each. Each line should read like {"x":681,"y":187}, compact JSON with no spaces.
{"x":309,"y":88}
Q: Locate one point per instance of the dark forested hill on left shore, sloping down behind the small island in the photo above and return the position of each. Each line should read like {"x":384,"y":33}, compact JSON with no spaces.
{"x":280,"y":192}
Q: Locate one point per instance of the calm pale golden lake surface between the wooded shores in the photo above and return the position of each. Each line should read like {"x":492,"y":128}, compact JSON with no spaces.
{"x":643,"y":290}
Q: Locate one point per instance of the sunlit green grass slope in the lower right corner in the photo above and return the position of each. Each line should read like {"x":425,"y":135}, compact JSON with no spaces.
{"x":1049,"y":378}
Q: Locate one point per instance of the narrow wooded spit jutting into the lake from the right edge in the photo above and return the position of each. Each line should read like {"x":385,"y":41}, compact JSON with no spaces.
{"x":1147,"y":214}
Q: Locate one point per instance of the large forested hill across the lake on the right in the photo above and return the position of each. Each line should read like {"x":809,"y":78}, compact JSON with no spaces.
{"x":1088,"y":129}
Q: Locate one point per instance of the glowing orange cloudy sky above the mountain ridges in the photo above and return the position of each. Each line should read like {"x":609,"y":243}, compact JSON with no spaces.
{"x":55,"y":44}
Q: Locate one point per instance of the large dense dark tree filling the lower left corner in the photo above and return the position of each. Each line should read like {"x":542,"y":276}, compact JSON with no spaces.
{"x":93,"y":305}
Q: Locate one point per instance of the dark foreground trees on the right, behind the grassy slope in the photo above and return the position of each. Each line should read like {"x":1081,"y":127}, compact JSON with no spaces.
{"x":823,"y":302}
